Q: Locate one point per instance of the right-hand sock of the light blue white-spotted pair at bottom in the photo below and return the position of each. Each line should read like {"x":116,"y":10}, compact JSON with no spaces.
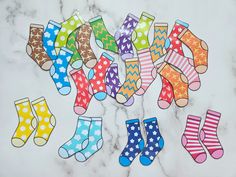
{"x":95,"y":141}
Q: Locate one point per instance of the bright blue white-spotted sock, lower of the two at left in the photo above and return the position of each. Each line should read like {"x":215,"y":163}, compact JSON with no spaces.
{"x":58,"y":71}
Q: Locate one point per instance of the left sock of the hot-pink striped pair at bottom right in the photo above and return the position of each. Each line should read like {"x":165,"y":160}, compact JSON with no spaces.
{"x":190,"y":139}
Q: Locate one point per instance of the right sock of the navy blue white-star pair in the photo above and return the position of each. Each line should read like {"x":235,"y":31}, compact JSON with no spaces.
{"x":154,"y":144}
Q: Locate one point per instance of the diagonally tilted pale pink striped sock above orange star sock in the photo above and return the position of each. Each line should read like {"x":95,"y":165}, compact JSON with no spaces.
{"x":186,"y":66}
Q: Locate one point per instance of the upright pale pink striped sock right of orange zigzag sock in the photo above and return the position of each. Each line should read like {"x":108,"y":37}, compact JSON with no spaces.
{"x":147,"y":71}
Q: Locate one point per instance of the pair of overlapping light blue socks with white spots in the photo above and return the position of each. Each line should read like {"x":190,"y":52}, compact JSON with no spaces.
{"x":86,"y":141}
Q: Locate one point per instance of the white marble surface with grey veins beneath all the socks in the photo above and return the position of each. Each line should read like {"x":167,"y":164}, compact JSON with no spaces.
{"x":214,"y":21}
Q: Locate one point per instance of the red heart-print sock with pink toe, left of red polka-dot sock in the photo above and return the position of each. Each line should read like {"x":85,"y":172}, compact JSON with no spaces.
{"x":83,"y":96}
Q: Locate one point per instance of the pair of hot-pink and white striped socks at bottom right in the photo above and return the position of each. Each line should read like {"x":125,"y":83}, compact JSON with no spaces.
{"x":207,"y":135}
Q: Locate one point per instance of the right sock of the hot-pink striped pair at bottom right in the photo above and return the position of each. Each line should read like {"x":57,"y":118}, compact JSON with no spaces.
{"x":209,"y":136}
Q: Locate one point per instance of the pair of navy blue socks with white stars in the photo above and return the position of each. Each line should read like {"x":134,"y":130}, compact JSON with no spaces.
{"x":135,"y":144}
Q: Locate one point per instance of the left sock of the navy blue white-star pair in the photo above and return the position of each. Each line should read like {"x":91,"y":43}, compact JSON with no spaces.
{"x":135,"y":143}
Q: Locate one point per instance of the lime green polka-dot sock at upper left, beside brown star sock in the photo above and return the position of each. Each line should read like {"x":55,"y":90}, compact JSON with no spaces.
{"x":67,"y":27}
